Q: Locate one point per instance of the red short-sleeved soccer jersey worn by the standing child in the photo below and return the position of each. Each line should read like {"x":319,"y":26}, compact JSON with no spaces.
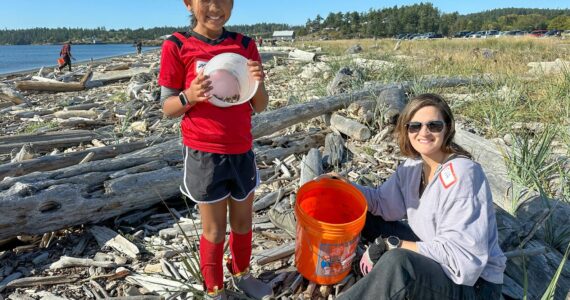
{"x":206,"y":127}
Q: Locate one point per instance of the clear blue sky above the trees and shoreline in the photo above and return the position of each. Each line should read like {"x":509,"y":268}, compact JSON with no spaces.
{"x":116,"y":14}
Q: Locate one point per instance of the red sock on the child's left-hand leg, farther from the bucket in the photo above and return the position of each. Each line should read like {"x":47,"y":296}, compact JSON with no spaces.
{"x":211,"y":256}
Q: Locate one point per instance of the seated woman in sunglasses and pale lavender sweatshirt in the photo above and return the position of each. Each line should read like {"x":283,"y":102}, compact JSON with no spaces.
{"x":450,"y":248}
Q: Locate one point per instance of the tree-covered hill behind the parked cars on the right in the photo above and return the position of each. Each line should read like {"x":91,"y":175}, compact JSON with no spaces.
{"x":424,"y":17}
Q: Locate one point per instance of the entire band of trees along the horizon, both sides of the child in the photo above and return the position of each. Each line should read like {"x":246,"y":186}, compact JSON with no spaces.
{"x":386,"y":22}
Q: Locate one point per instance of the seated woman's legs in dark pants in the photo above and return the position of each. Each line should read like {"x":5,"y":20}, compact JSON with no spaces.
{"x":404,"y":274}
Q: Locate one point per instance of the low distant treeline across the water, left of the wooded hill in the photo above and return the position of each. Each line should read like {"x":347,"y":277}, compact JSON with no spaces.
{"x":80,"y":35}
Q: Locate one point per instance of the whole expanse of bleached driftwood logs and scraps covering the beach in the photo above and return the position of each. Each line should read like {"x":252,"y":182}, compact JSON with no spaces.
{"x":97,"y":213}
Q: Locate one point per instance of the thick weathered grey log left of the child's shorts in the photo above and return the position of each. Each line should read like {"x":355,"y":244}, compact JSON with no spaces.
{"x":83,"y":194}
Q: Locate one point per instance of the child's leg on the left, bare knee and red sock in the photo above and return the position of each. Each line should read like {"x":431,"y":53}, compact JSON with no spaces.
{"x":213,"y":216}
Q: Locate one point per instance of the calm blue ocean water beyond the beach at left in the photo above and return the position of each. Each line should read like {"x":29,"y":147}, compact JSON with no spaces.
{"x":27,"y":57}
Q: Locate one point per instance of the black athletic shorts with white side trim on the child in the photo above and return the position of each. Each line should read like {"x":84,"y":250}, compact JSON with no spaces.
{"x":212,"y":177}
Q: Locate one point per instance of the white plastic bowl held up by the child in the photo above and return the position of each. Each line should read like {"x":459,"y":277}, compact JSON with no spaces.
{"x":231,"y":80}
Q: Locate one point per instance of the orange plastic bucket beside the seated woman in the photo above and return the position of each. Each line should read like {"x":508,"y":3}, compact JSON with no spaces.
{"x":330,"y":215}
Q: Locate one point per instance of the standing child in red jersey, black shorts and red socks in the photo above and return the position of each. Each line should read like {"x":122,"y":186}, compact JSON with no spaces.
{"x":219,"y":165}
